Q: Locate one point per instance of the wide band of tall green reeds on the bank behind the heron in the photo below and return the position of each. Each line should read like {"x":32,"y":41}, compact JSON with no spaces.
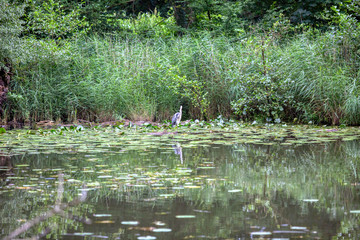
{"x":108,"y":78}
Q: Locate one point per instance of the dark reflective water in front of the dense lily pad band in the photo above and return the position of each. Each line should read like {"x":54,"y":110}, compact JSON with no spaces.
{"x":199,"y":192}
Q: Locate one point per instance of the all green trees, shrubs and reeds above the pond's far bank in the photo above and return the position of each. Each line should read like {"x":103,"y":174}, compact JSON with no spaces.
{"x":269,"y":61}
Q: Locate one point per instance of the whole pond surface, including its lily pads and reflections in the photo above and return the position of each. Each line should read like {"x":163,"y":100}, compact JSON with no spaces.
{"x":193,"y":183}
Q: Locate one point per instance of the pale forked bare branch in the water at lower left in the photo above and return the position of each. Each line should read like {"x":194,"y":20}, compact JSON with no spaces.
{"x":58,"y":209}
